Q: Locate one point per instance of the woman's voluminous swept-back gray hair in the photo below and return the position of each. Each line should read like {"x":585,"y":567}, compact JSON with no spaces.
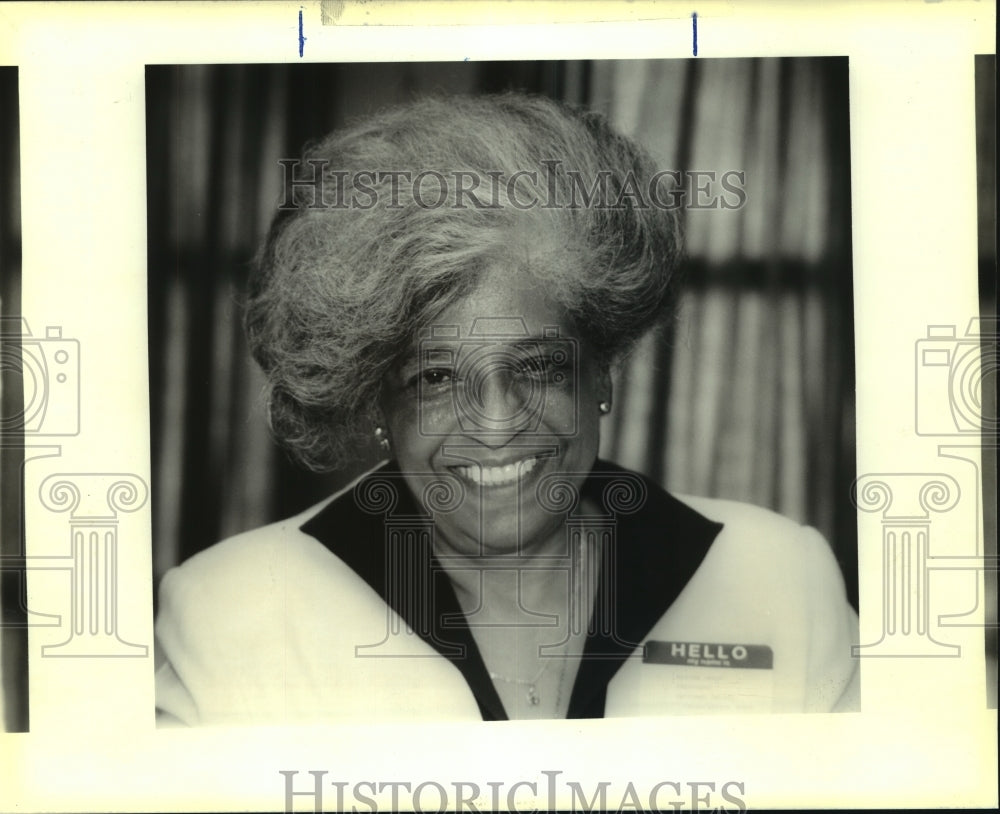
{"x":341,"y":288}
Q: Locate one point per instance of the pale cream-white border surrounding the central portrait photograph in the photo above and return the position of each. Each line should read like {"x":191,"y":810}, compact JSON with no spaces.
{"x":93,"y":744}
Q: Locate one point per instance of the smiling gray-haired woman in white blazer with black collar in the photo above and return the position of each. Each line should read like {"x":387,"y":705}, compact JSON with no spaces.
{"x":454,"y":280}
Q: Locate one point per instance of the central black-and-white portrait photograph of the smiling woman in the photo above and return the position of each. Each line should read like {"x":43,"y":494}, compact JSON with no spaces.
{"x":573,"y":343}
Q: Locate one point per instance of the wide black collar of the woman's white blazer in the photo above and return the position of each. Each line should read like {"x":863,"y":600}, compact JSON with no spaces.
{"x":659,"y":547}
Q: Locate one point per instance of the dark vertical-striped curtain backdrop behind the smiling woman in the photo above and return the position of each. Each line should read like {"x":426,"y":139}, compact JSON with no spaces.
{"x":749,"y":395}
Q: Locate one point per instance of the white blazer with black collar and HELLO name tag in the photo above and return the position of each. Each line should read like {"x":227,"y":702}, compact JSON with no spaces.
{"x":719,"y":607}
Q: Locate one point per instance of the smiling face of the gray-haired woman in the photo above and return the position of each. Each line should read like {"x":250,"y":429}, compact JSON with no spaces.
{"x":500,"y":393}
